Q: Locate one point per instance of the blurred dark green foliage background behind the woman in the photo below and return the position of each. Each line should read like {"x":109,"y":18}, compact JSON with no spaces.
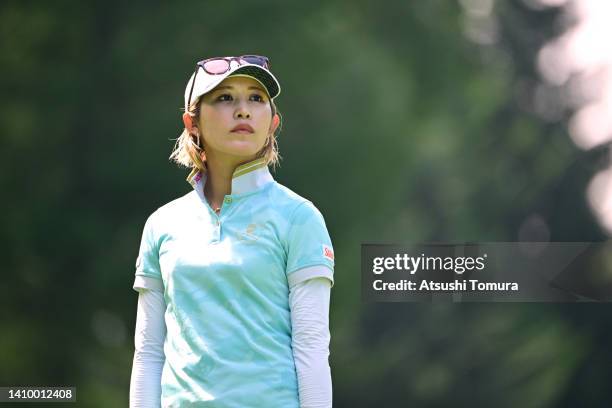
{"x":408,"y":121}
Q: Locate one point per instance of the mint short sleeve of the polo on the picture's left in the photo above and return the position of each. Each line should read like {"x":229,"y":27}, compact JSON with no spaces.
{"x":148,"y":273}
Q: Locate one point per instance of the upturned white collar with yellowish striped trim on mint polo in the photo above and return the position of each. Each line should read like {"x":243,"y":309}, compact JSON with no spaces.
{"x":247,"y":178}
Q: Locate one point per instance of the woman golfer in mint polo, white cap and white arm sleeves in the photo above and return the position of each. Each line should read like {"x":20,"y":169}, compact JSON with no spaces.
{"x":234,"y":277}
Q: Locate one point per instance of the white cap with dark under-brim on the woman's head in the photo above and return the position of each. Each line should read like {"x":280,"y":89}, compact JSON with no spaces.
{"x":206,"y":82}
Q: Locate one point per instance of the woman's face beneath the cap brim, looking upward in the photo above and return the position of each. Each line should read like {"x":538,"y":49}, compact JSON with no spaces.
{"x":235,"y":101}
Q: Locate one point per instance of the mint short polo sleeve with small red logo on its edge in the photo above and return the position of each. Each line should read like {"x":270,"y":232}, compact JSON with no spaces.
{"x":308,"y":244}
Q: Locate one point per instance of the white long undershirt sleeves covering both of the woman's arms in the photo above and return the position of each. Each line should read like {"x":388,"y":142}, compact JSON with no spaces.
{"x":309,"y":304}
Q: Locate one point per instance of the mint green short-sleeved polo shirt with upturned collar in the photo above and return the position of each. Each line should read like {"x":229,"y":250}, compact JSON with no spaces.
{"x":226,"y":281}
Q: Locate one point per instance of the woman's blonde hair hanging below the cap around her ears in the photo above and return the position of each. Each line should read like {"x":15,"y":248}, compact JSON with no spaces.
{"x":189,"y":150}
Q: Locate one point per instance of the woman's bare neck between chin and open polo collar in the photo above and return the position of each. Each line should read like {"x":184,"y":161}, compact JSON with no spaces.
{"x":219,"y":174}
